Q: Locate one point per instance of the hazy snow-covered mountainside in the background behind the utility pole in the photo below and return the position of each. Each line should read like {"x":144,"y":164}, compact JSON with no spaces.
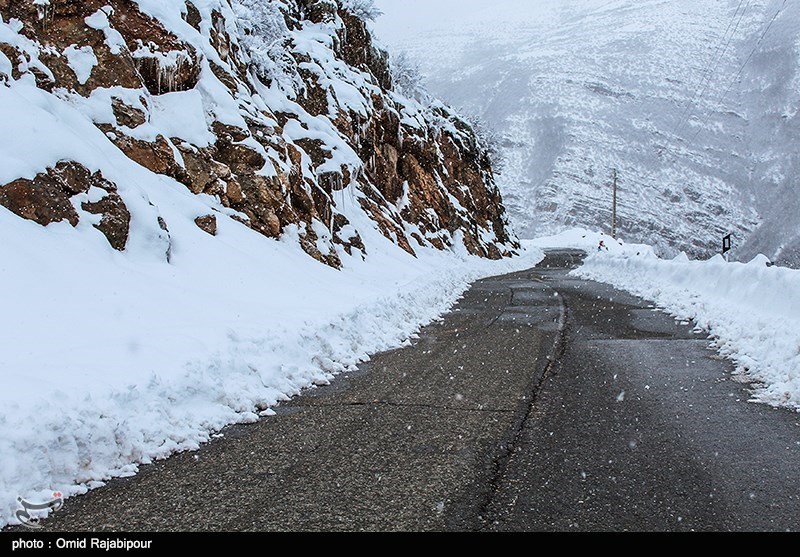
{"x":693,"y":102}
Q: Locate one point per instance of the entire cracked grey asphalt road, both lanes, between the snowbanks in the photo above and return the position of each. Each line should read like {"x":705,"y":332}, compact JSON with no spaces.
{"x":540,"y":403}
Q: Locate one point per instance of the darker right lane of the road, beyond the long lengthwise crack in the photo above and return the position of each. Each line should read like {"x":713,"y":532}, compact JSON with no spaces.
{"x":640,"y":427}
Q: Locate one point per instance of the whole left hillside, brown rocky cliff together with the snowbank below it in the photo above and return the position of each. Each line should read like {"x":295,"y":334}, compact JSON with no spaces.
{"x":205,"y":207}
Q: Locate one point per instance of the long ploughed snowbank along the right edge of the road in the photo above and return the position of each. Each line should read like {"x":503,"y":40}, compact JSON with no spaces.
{"x":750,"y":310}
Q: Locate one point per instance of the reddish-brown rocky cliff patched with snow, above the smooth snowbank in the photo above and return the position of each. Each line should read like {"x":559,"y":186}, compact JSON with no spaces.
{"x":281,"y":111}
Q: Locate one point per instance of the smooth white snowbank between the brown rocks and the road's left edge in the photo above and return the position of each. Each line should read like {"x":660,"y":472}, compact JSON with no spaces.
{"x":110,"y":360}
